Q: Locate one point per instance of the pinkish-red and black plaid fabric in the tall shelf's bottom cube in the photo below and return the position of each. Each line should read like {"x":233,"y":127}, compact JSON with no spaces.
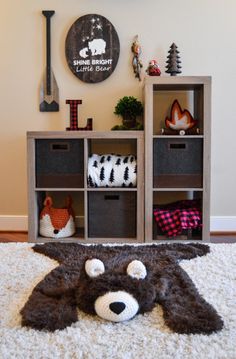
{"x":173,"y":218}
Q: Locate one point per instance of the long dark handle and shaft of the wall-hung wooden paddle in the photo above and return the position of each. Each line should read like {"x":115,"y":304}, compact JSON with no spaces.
{"x":48,"y":14}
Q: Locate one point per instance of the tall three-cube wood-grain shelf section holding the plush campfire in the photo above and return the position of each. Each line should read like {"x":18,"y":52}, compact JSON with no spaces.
{"x":177,"y":167}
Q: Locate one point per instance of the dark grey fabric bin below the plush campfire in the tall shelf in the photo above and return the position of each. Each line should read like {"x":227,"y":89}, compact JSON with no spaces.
{"x":177,"y":162}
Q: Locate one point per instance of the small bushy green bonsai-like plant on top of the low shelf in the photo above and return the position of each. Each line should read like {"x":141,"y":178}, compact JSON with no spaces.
{"x":129,"y":108}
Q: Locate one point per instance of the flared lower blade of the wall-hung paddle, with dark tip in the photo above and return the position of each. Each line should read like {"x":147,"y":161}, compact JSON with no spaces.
{"x":49,"y":102}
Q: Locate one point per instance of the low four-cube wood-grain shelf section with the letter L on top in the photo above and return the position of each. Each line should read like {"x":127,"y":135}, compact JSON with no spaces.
{"x":57,"y":166}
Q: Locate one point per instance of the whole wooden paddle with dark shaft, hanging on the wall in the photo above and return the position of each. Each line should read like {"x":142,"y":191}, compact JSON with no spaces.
{"x":49,"y":93}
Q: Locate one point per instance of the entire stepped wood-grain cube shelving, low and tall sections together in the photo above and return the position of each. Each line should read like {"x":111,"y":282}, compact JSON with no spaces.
{"x":170,"y":168}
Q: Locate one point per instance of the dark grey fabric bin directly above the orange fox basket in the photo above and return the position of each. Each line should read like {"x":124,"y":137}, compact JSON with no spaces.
{"x":59,"y":163}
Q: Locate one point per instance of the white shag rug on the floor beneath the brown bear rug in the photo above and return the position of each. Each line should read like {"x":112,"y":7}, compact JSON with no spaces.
{"x":144,"y":337}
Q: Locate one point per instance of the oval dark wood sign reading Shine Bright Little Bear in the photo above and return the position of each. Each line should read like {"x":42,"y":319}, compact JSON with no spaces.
{"x":92,"y":48}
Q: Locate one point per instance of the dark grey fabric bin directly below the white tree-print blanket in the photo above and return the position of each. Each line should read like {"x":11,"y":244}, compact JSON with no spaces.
{"x":112,"y":214}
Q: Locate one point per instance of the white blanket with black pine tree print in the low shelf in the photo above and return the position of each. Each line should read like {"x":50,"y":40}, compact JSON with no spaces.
{"x":111,"y":170}
